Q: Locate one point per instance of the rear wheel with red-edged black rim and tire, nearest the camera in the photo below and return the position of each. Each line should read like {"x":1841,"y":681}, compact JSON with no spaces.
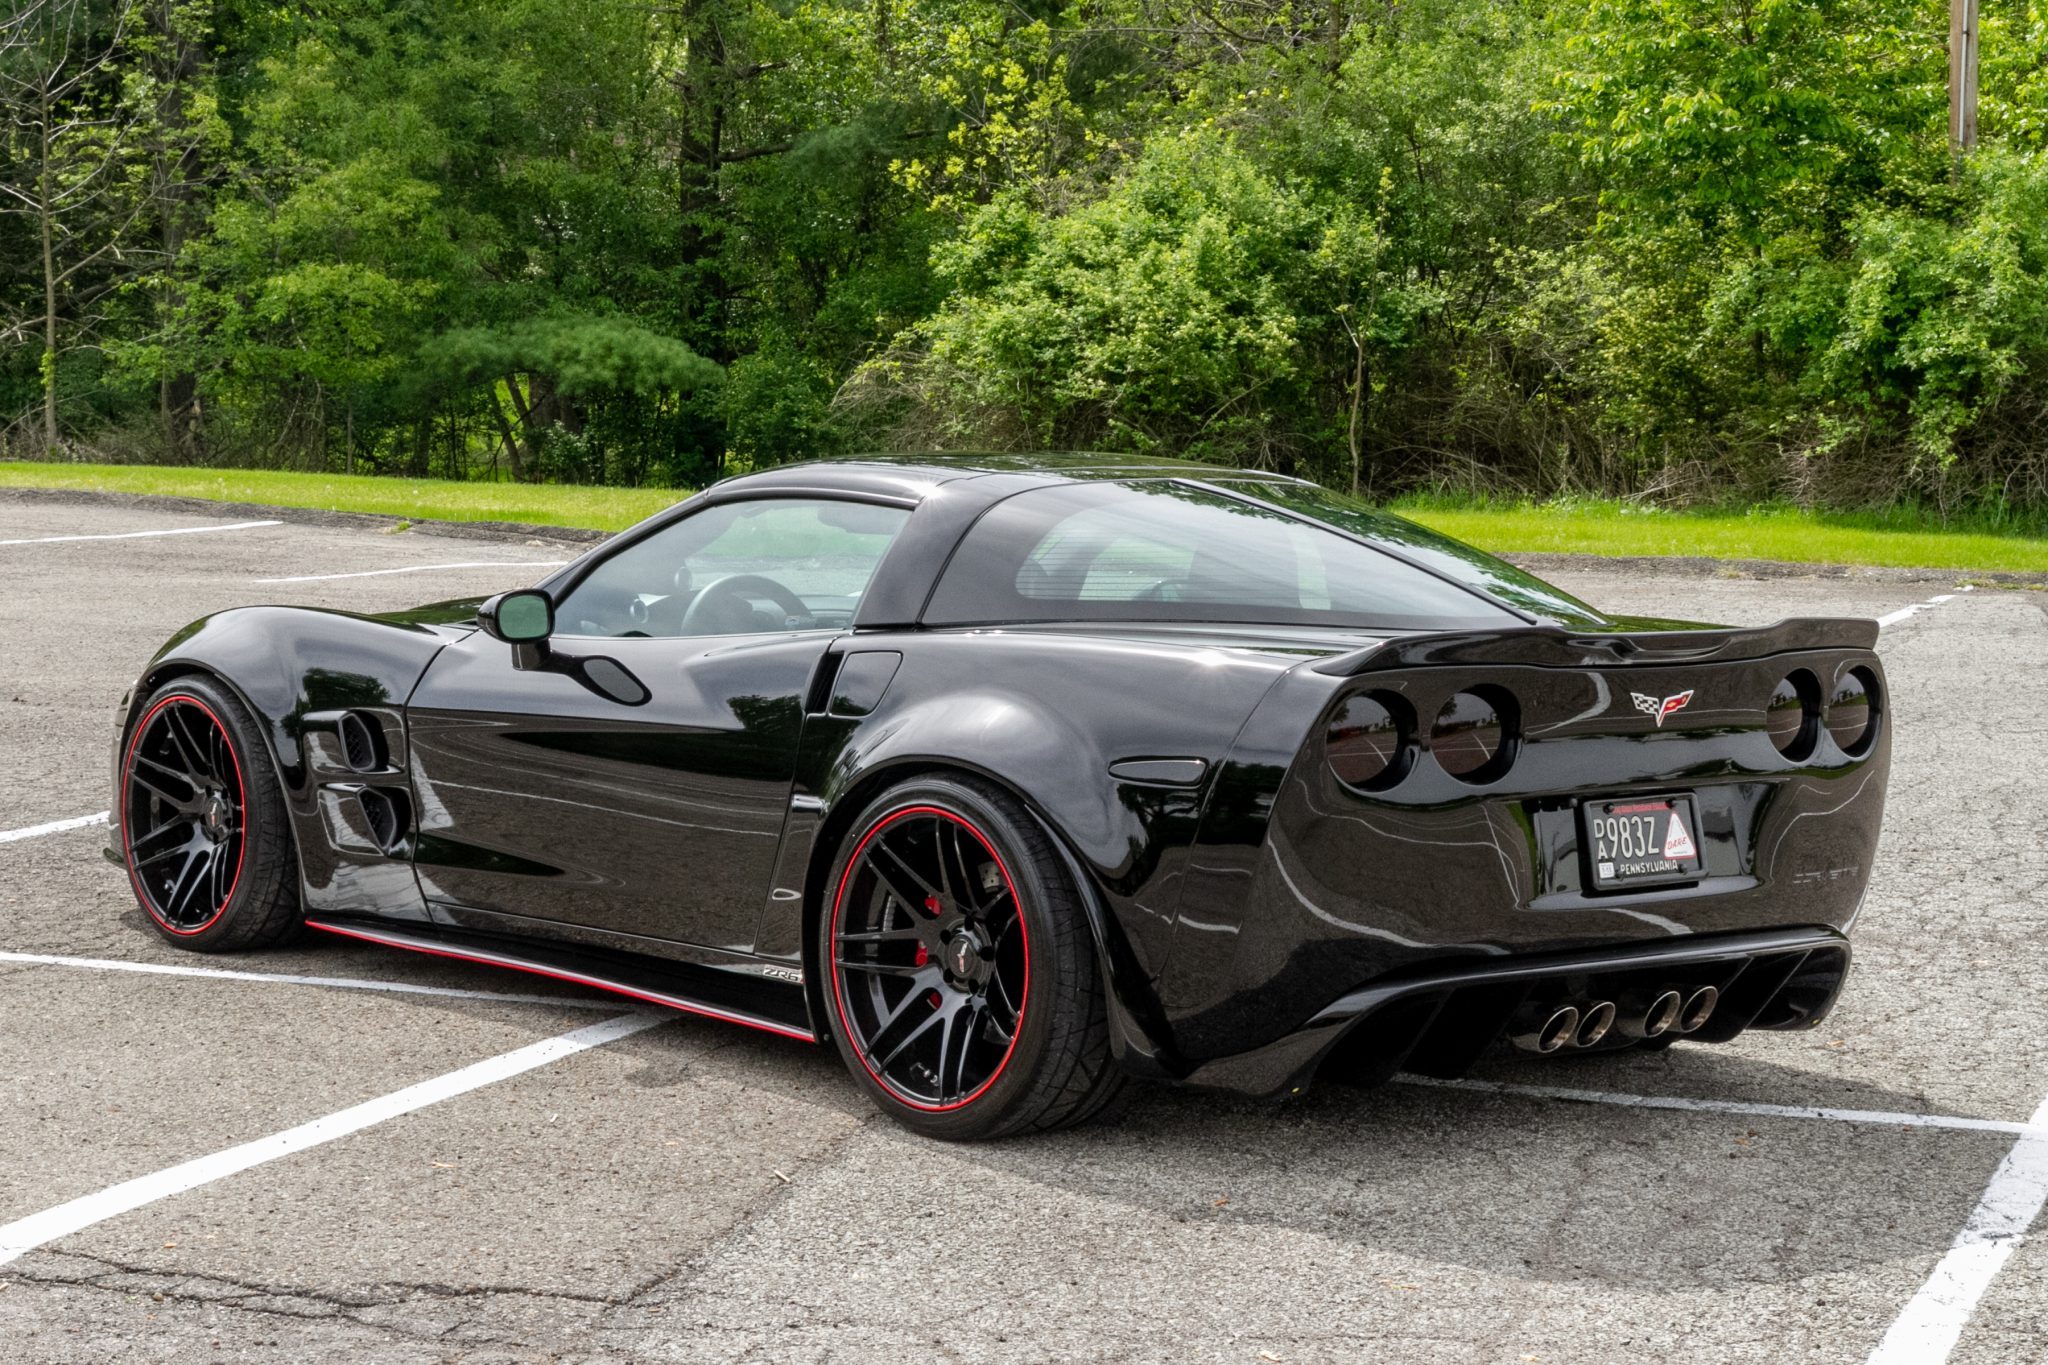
{"x":1013,"y":901}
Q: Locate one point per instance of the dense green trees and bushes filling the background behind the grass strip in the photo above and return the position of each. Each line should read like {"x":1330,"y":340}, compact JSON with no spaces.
{"x":1660,"y":249}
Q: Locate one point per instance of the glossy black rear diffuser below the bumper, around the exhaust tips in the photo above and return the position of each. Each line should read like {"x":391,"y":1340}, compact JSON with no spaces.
{"x":1439,"y":1022}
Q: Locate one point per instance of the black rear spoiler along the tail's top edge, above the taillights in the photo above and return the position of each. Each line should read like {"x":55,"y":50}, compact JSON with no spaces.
{"x":1551,"y":648}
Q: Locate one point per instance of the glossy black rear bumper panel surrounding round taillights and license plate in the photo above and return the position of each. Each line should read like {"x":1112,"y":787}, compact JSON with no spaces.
{"x":1302,"y":891}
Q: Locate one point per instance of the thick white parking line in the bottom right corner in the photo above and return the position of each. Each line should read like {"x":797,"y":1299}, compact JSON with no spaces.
{"x":1926,"y":1333}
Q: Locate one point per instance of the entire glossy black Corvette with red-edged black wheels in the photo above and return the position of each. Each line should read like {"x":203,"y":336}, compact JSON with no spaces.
{"x":1019,"y":779}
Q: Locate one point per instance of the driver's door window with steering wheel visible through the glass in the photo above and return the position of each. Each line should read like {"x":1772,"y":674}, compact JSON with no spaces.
{"x":749,"y":568}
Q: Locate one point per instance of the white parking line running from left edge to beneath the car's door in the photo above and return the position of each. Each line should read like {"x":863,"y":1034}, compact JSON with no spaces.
{"x":26,"y":1235}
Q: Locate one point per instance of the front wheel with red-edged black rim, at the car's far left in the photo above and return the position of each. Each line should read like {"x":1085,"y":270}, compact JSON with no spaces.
{"x":202,"y":824}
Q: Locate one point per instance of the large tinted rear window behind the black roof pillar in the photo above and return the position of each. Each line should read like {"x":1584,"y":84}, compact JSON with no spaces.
{"x":1177,"y":552}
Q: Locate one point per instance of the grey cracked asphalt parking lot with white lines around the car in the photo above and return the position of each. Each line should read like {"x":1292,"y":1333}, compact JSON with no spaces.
{"x":341,"y":1153}
